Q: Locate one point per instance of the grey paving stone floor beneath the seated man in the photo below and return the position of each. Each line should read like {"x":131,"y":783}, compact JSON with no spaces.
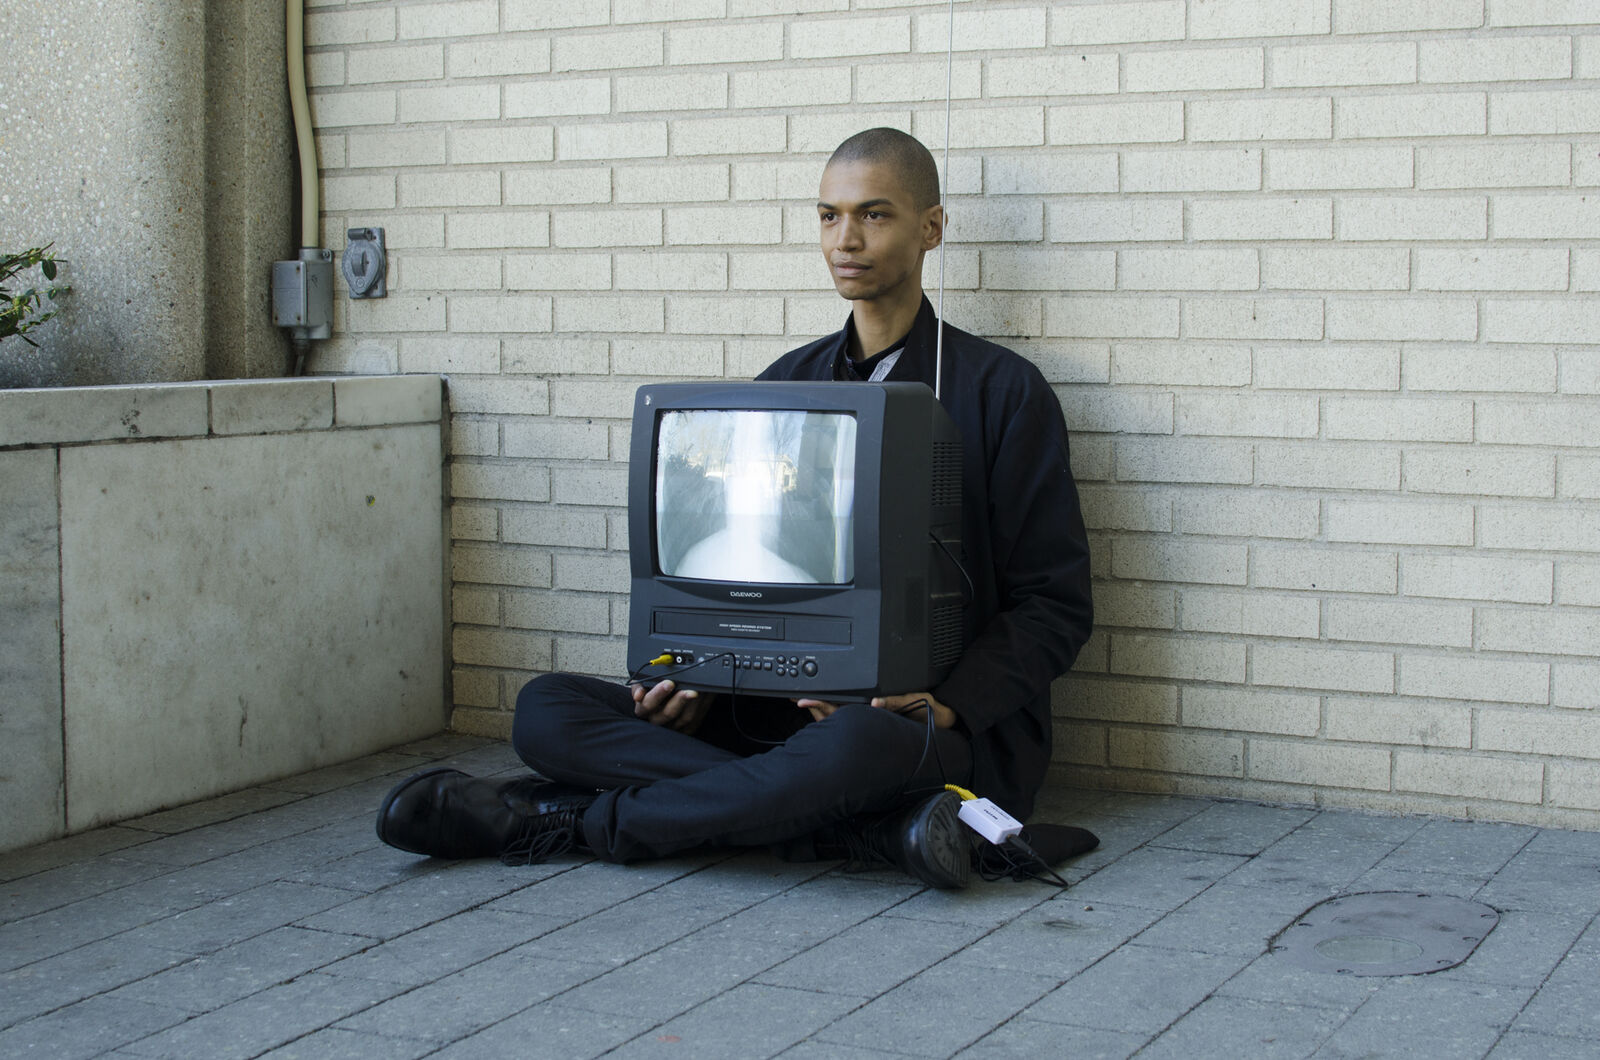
{"x":271,"y":923}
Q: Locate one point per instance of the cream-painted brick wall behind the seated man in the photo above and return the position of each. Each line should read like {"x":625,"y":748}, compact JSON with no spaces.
{"x":1314,"y":279}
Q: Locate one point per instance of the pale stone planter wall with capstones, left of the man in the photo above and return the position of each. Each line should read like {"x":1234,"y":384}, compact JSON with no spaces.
{"x":212,"y":585}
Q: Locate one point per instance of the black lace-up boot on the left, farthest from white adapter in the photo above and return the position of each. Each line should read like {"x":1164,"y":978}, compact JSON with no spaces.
{"x":447,"y":814}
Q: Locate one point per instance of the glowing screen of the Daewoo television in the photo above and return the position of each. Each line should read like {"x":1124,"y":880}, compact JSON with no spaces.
{"x":756,"y":496}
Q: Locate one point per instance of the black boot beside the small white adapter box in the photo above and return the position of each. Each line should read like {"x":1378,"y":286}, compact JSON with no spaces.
{"x":926,"y":840}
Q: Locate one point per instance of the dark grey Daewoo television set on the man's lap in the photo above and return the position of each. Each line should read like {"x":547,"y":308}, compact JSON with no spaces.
{"x":796,"y":539}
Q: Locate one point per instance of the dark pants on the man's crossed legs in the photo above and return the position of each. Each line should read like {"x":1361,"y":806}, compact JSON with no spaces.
{"x":759,"y":773}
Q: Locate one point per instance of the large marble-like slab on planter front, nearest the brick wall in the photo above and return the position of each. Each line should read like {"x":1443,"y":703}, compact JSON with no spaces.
{"x":247,"y":608}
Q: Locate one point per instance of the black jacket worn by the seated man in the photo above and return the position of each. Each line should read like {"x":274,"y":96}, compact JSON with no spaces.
{"x":1025,"y":545}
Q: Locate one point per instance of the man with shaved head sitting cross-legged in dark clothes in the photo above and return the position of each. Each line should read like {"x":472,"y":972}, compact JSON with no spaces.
{"x":652,"y":771}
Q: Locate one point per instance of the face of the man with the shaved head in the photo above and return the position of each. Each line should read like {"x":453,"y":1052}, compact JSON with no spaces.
{"x":873,"y":235}
